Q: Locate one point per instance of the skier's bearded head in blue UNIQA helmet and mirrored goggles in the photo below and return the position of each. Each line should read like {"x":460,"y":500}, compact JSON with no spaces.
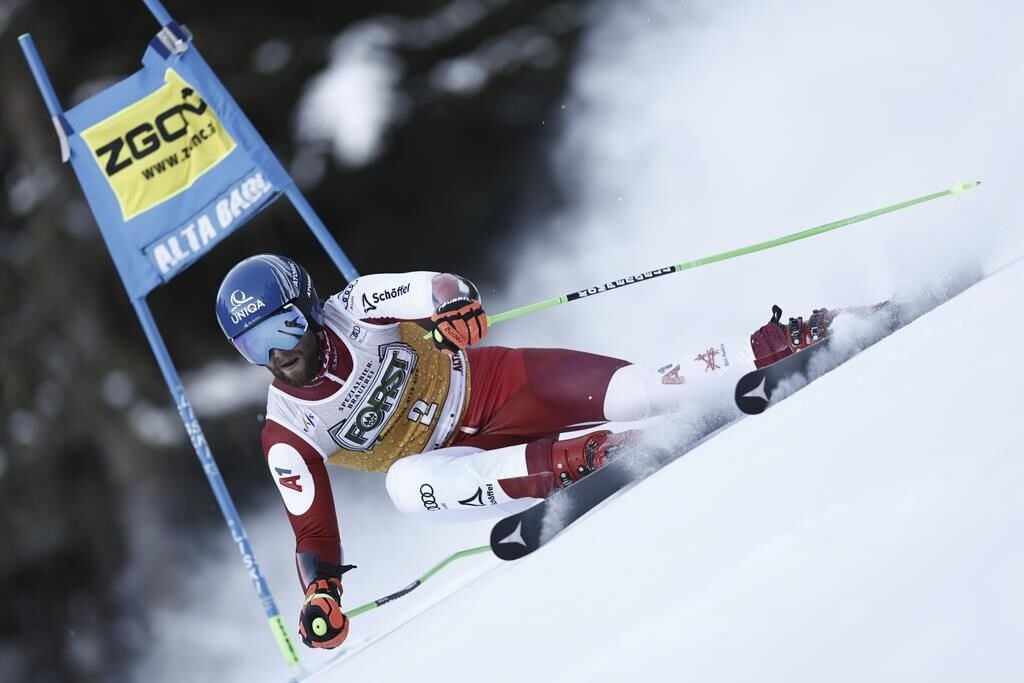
{"x":269,"y":309}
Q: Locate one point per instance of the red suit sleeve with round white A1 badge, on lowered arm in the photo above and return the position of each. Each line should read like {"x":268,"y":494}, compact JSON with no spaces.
{"x":303,"y":482}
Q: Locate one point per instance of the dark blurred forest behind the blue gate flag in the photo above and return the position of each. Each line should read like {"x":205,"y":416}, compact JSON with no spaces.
{"x":79,"y":489}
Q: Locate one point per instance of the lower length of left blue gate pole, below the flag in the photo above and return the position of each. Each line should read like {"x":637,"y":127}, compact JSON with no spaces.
{"x":217,"y":483}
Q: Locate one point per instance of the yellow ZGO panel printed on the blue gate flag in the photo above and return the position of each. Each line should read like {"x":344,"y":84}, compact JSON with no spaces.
{"x":159,"y":146}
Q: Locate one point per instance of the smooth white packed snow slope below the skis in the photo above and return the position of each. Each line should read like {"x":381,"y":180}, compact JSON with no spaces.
{"x":866,"y":529}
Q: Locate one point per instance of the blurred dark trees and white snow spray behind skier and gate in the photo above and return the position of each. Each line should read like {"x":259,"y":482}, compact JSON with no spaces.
{"x":536,"y":147}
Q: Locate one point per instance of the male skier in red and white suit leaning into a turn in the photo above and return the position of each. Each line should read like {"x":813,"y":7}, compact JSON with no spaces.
{"x":462,"y":432}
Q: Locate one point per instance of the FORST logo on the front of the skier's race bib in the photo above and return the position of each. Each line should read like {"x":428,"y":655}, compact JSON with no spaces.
{"x":369,"y":417}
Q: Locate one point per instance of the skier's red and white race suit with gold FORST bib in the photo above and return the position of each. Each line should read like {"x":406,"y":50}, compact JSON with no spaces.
{"x":448,"y":431}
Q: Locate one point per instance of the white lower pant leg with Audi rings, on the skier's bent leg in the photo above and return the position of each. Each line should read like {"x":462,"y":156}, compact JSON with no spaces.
{"x":459,"y":484}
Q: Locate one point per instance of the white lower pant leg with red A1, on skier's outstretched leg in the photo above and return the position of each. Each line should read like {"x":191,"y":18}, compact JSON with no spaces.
{"x":638,"y":392}
